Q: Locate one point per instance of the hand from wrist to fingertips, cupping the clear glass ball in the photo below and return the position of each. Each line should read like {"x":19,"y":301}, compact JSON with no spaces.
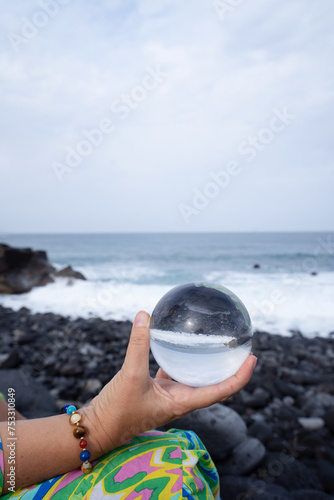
{"x":132,"y":402}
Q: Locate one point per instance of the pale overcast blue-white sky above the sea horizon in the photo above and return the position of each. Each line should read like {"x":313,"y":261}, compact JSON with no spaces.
{"x":166,"y":116}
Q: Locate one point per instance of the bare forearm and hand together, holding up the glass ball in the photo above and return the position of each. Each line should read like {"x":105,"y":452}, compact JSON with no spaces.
{"x":131,"y":403}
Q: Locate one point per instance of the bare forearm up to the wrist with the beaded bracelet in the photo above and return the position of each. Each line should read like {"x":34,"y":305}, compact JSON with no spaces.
{"x":45,"y":448}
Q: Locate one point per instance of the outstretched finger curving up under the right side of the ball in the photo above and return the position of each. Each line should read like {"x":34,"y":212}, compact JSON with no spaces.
{"x":209,"y":395}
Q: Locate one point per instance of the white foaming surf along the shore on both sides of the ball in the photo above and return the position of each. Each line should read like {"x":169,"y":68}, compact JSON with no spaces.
{"x":276,"y":303}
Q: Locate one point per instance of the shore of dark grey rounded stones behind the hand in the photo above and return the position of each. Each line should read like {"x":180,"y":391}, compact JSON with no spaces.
{"x":273,"y":440}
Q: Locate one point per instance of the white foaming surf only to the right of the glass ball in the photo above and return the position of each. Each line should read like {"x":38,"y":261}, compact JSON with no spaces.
{"x":279,"y":303}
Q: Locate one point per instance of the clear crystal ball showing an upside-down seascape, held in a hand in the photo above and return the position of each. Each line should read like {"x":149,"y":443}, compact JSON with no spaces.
{"x":200,"y":333}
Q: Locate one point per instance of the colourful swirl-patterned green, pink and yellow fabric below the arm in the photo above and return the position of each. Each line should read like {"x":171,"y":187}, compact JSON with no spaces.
{"x":173,"y":465}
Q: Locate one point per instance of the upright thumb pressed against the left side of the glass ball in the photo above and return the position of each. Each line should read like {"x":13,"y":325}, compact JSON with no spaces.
{"x":137,"y":354}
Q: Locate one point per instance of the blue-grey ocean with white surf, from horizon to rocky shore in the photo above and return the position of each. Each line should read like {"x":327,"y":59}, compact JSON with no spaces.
{"x":292,"y":289}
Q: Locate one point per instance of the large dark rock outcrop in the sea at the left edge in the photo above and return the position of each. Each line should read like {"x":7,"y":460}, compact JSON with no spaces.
{"x":23,"y":268}
